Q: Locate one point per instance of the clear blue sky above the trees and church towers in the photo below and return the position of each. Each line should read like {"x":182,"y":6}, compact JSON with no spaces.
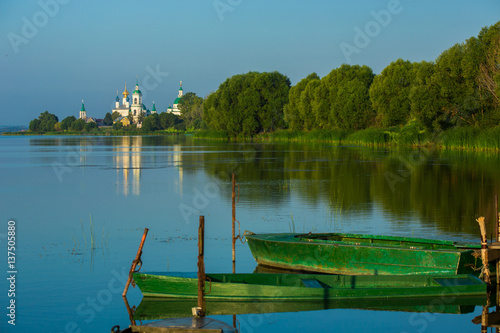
{"x":56,"y":53}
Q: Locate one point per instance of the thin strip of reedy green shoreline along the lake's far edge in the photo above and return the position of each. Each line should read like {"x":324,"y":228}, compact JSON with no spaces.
{"x":464,"y":138}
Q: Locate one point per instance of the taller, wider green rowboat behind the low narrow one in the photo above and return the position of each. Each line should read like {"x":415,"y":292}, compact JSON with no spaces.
{"x":353,"y":254}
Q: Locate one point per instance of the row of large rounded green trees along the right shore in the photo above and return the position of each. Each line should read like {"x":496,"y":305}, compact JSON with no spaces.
{"x":460,"y":88}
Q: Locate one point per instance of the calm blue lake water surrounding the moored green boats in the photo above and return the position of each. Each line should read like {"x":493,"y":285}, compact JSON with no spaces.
{"x":80,"y":205}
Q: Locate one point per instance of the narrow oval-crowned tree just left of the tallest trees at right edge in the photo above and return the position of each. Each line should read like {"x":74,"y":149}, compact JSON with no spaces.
{"x":390,"y":90}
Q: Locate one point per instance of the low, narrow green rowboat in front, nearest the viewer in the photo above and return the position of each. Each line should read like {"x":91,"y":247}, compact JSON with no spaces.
{"x":307,"y":286}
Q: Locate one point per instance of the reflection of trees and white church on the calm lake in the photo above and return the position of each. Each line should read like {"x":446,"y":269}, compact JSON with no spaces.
{"x":434,"y":189}
